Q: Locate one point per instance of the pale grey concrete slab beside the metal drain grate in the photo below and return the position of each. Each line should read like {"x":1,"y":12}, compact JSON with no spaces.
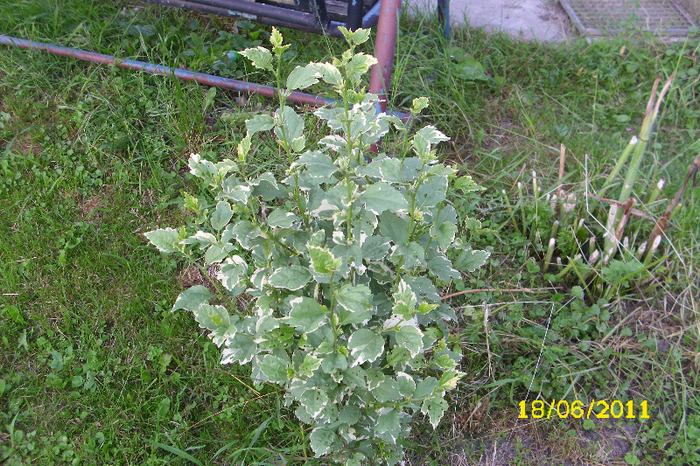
{"x":542,"y":20}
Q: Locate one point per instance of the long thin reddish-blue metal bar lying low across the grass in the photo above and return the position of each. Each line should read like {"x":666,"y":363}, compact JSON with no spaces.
{"x":202,"y":78}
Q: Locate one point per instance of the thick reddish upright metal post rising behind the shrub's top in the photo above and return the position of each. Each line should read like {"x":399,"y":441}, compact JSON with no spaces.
{"x":384,"y":50}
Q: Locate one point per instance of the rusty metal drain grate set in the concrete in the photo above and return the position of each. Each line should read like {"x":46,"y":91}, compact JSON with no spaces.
{"x":596,"y":18}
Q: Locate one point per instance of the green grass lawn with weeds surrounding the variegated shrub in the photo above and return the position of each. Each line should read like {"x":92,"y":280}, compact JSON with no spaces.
{"x":93,"y":364}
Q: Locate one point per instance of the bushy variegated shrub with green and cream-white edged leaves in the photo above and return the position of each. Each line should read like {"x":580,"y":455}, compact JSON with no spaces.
{"x":339,"y":263}
